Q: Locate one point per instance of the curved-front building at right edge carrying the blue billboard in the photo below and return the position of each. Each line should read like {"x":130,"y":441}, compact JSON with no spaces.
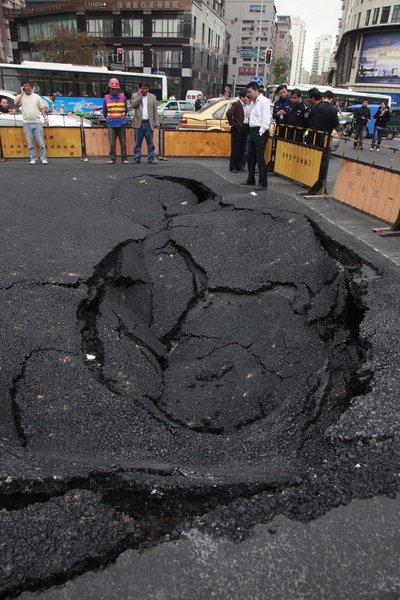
{"x":368,"y":47}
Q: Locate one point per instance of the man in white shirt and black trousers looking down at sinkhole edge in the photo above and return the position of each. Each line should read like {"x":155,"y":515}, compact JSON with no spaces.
{"x":260,"y":119}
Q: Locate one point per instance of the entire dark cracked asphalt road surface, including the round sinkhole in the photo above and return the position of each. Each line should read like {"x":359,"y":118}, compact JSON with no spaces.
{"x":198,"y":386}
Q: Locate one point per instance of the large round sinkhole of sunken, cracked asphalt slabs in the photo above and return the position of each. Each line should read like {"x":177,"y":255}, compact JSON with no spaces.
{"x":237,"y":331}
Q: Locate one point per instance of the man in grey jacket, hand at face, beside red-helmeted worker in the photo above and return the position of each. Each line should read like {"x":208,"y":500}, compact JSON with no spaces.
{"x":145,"y":121}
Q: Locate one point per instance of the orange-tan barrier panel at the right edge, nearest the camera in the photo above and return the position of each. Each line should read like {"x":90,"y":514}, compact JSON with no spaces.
{"x":370,"y":189}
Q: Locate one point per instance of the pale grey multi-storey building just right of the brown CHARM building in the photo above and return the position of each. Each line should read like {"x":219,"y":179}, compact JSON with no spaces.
{"x":252,"y":31}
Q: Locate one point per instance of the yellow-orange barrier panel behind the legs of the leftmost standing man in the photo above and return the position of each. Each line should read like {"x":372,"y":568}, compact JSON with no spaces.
{"x":60,"y":142}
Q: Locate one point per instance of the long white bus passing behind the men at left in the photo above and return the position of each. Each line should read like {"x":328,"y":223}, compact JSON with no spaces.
{"x":59,"y":79}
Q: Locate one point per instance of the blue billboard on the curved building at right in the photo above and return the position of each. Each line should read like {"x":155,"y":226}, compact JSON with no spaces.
{"x":379,"y":58}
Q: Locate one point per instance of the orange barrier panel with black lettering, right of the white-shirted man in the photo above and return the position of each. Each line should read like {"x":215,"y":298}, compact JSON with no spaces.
{"x":297,"y":162}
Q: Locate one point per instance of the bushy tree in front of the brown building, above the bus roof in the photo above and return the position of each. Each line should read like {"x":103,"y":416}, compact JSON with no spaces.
{"x":66,"y":46}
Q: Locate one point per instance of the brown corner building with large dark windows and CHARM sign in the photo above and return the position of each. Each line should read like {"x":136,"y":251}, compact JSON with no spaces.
{"x":184,"y":39}
